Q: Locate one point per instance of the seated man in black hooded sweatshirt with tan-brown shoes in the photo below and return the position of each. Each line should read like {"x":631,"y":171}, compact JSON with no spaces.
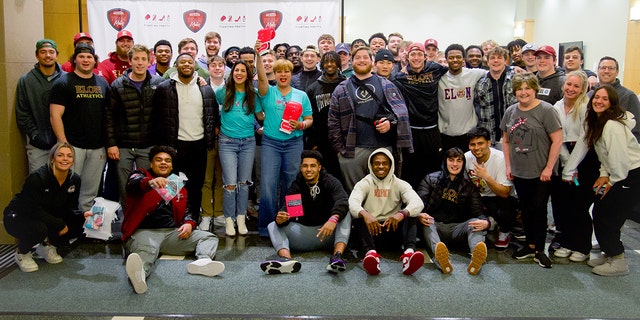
{"x":454,"y":213}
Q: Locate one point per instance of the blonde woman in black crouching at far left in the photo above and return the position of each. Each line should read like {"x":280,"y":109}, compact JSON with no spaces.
{"x":43,"y":215}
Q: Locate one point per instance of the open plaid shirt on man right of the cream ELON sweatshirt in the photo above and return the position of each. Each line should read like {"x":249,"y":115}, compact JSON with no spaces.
{"x":484,"y":104}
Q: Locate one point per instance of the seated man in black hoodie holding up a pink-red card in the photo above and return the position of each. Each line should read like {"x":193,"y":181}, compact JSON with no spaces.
{"x":325,"y":220}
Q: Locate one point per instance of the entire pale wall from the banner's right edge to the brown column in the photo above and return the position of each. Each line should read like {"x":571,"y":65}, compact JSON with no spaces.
{"x":600,"y":24}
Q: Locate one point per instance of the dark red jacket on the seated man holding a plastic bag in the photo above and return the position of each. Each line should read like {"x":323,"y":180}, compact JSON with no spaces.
{"x":142,"y":200}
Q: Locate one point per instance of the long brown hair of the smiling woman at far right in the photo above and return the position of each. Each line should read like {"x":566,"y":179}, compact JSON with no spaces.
{"x":595,"y":123}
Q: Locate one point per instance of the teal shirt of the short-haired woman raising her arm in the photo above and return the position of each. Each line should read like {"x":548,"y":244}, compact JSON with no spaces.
{"x":273,"y":104}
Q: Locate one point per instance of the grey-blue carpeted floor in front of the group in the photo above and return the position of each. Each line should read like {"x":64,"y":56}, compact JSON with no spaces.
{"x":91,"y":281}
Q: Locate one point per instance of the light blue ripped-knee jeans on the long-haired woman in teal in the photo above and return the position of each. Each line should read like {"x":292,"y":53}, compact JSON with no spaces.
{"x":236,"y":158}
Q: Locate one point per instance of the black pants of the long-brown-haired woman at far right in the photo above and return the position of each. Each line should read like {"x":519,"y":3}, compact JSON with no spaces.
{"x":610,"y":212}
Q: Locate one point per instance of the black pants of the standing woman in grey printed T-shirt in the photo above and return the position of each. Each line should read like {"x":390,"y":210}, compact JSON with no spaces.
{"x":533,"y":195}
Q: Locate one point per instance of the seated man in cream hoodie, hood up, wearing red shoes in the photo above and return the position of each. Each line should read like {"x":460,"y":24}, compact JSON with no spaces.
{"x":376,"y":204}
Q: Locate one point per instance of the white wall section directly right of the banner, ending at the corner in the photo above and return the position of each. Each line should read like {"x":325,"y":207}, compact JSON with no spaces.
{"x":448,"y":21}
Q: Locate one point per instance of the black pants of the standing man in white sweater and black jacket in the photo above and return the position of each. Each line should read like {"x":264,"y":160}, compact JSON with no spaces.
{"x":192,"y":160}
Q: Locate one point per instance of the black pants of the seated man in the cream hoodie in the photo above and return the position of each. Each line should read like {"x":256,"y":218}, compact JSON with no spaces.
{"x":404,"y":235}
